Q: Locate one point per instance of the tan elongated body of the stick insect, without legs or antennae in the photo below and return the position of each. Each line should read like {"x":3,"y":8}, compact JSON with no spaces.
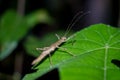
{"x":48,"y":50}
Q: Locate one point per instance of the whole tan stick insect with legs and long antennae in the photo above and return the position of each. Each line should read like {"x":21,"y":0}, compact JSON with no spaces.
{"x":52,"y":47}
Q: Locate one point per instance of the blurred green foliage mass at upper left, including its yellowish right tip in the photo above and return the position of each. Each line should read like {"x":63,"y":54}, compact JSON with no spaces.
{"x":14,"y":27}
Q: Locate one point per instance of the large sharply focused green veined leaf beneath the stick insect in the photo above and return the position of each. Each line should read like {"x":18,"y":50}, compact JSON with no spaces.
{"x":95,"y":47}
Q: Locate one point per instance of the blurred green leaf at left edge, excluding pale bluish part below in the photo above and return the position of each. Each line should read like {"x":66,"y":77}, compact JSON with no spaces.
{"x":13,"y":26}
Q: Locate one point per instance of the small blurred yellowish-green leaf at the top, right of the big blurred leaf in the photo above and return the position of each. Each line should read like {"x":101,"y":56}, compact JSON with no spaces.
{"x":39,"y":16}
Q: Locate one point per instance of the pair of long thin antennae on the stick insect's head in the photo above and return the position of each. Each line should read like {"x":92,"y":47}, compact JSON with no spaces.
{"x":74,"y":20}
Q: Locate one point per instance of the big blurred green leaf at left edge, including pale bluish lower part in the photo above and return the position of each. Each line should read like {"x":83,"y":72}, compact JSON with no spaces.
{"x":13,"y":28}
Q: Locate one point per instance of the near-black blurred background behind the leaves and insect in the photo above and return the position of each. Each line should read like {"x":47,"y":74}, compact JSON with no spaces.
{"x":101,"y":11}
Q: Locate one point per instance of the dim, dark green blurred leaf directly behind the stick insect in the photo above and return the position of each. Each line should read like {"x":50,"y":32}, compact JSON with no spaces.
{"x":32,"y":42}
